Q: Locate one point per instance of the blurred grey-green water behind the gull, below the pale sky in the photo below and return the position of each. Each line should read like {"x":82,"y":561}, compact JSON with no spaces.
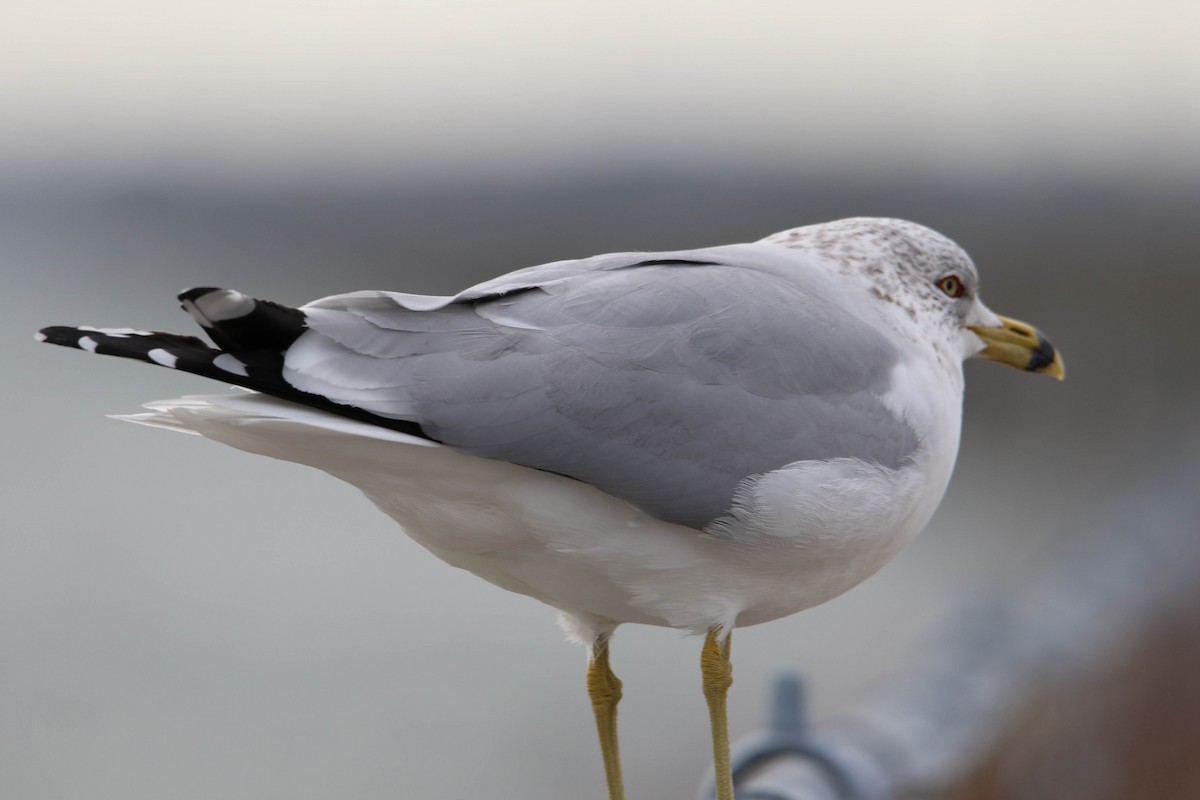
{"x":184,"y":619}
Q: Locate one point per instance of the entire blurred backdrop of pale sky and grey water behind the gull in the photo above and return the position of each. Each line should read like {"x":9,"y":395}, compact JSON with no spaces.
{"x":179,"y":619}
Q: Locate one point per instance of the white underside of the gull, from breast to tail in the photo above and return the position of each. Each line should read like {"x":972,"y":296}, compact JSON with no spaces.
{"x":801,"y":536}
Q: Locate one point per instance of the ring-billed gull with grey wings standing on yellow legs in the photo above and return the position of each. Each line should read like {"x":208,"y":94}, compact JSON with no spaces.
{"x":697,"y":440}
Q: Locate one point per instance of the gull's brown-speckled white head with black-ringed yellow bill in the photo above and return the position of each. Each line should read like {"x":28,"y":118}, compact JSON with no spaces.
{"x":927,"y":286}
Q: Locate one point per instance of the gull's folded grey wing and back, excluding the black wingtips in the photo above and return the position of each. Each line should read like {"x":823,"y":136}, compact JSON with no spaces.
{"x":663,"y":380}
